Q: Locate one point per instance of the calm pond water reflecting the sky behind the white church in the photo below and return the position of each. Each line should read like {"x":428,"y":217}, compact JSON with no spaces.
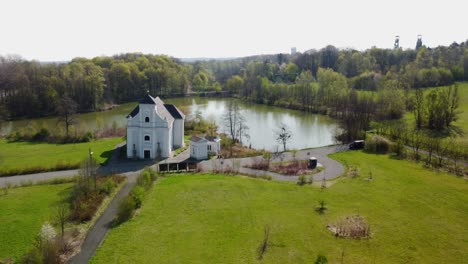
{"x":309,"y":130}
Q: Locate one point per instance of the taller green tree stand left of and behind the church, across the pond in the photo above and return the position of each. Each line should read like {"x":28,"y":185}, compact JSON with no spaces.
{"x":33,"y":89}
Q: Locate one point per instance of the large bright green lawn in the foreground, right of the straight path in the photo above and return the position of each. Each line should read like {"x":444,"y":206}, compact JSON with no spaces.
{"x":415,"y":215}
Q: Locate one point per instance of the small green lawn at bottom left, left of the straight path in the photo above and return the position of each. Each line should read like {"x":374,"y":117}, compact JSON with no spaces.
{"x":22,"y":213}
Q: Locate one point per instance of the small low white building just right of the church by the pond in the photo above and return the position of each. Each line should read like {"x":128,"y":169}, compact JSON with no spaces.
{"x":201,"y":147}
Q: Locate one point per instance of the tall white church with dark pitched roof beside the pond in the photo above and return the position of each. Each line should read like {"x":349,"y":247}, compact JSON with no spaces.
{"x":154,"y":129}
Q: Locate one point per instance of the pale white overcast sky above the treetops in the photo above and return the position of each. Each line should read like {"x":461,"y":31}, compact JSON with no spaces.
{"x":59,"y":30}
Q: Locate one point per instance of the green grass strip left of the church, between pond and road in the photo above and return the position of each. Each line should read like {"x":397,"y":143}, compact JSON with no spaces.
{"x":23,"y":155}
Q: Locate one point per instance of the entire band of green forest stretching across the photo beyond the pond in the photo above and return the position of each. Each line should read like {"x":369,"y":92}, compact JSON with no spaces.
{"x":356,"y":87}
